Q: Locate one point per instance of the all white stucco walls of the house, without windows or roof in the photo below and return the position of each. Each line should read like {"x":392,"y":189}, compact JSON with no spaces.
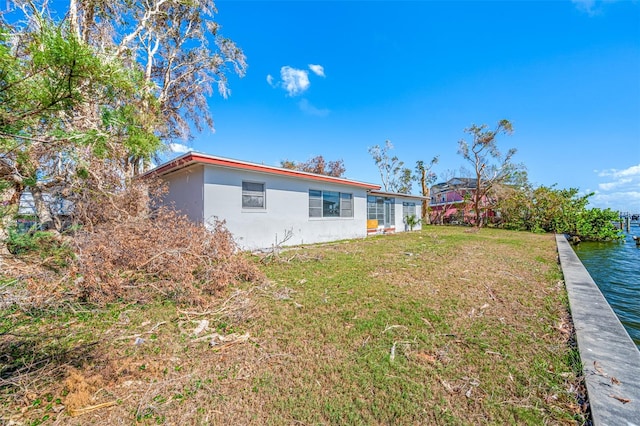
{"x":208,"y":192}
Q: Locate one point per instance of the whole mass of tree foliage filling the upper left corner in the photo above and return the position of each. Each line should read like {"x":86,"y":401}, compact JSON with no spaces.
{"x":86,"y":102}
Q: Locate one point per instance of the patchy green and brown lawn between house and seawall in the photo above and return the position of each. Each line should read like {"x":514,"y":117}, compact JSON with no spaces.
{"x":441,"y":326}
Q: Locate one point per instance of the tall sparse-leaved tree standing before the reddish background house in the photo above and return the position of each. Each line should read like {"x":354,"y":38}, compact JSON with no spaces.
{"x":489,"y":165}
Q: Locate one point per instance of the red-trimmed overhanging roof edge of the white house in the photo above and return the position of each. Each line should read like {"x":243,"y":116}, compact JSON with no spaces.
{"x":193,"y":158}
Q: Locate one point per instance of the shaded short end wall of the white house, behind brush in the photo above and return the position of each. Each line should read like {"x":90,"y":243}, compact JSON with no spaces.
{"x":186,"y":192}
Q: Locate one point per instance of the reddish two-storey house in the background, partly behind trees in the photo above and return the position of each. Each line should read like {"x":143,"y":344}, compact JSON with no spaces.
{"x":451,"y":201}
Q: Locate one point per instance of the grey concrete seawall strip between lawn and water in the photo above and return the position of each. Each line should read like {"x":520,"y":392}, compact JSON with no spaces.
{"x":610,"y":359}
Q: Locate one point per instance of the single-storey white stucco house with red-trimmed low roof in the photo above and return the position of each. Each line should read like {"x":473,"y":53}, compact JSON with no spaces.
{"x":264,"y":206}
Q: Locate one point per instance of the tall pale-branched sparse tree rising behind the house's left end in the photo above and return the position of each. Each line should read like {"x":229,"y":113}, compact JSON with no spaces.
{"x":176,"y":46}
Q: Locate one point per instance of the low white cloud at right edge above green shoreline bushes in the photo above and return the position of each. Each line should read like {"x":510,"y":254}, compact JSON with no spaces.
{"x":620,"y":190}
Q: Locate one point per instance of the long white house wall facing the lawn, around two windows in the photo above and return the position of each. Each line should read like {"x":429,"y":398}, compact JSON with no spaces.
{"x":286,"y":209}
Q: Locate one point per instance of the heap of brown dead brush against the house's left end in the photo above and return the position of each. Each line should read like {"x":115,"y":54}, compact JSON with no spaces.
{"x":128,"y":248}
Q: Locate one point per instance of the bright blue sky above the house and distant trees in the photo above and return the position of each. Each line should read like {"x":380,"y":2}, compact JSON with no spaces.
{"x":334,"y":78}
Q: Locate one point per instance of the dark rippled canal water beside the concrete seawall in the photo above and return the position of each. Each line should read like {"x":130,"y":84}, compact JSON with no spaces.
{"x":615,"y":267}
